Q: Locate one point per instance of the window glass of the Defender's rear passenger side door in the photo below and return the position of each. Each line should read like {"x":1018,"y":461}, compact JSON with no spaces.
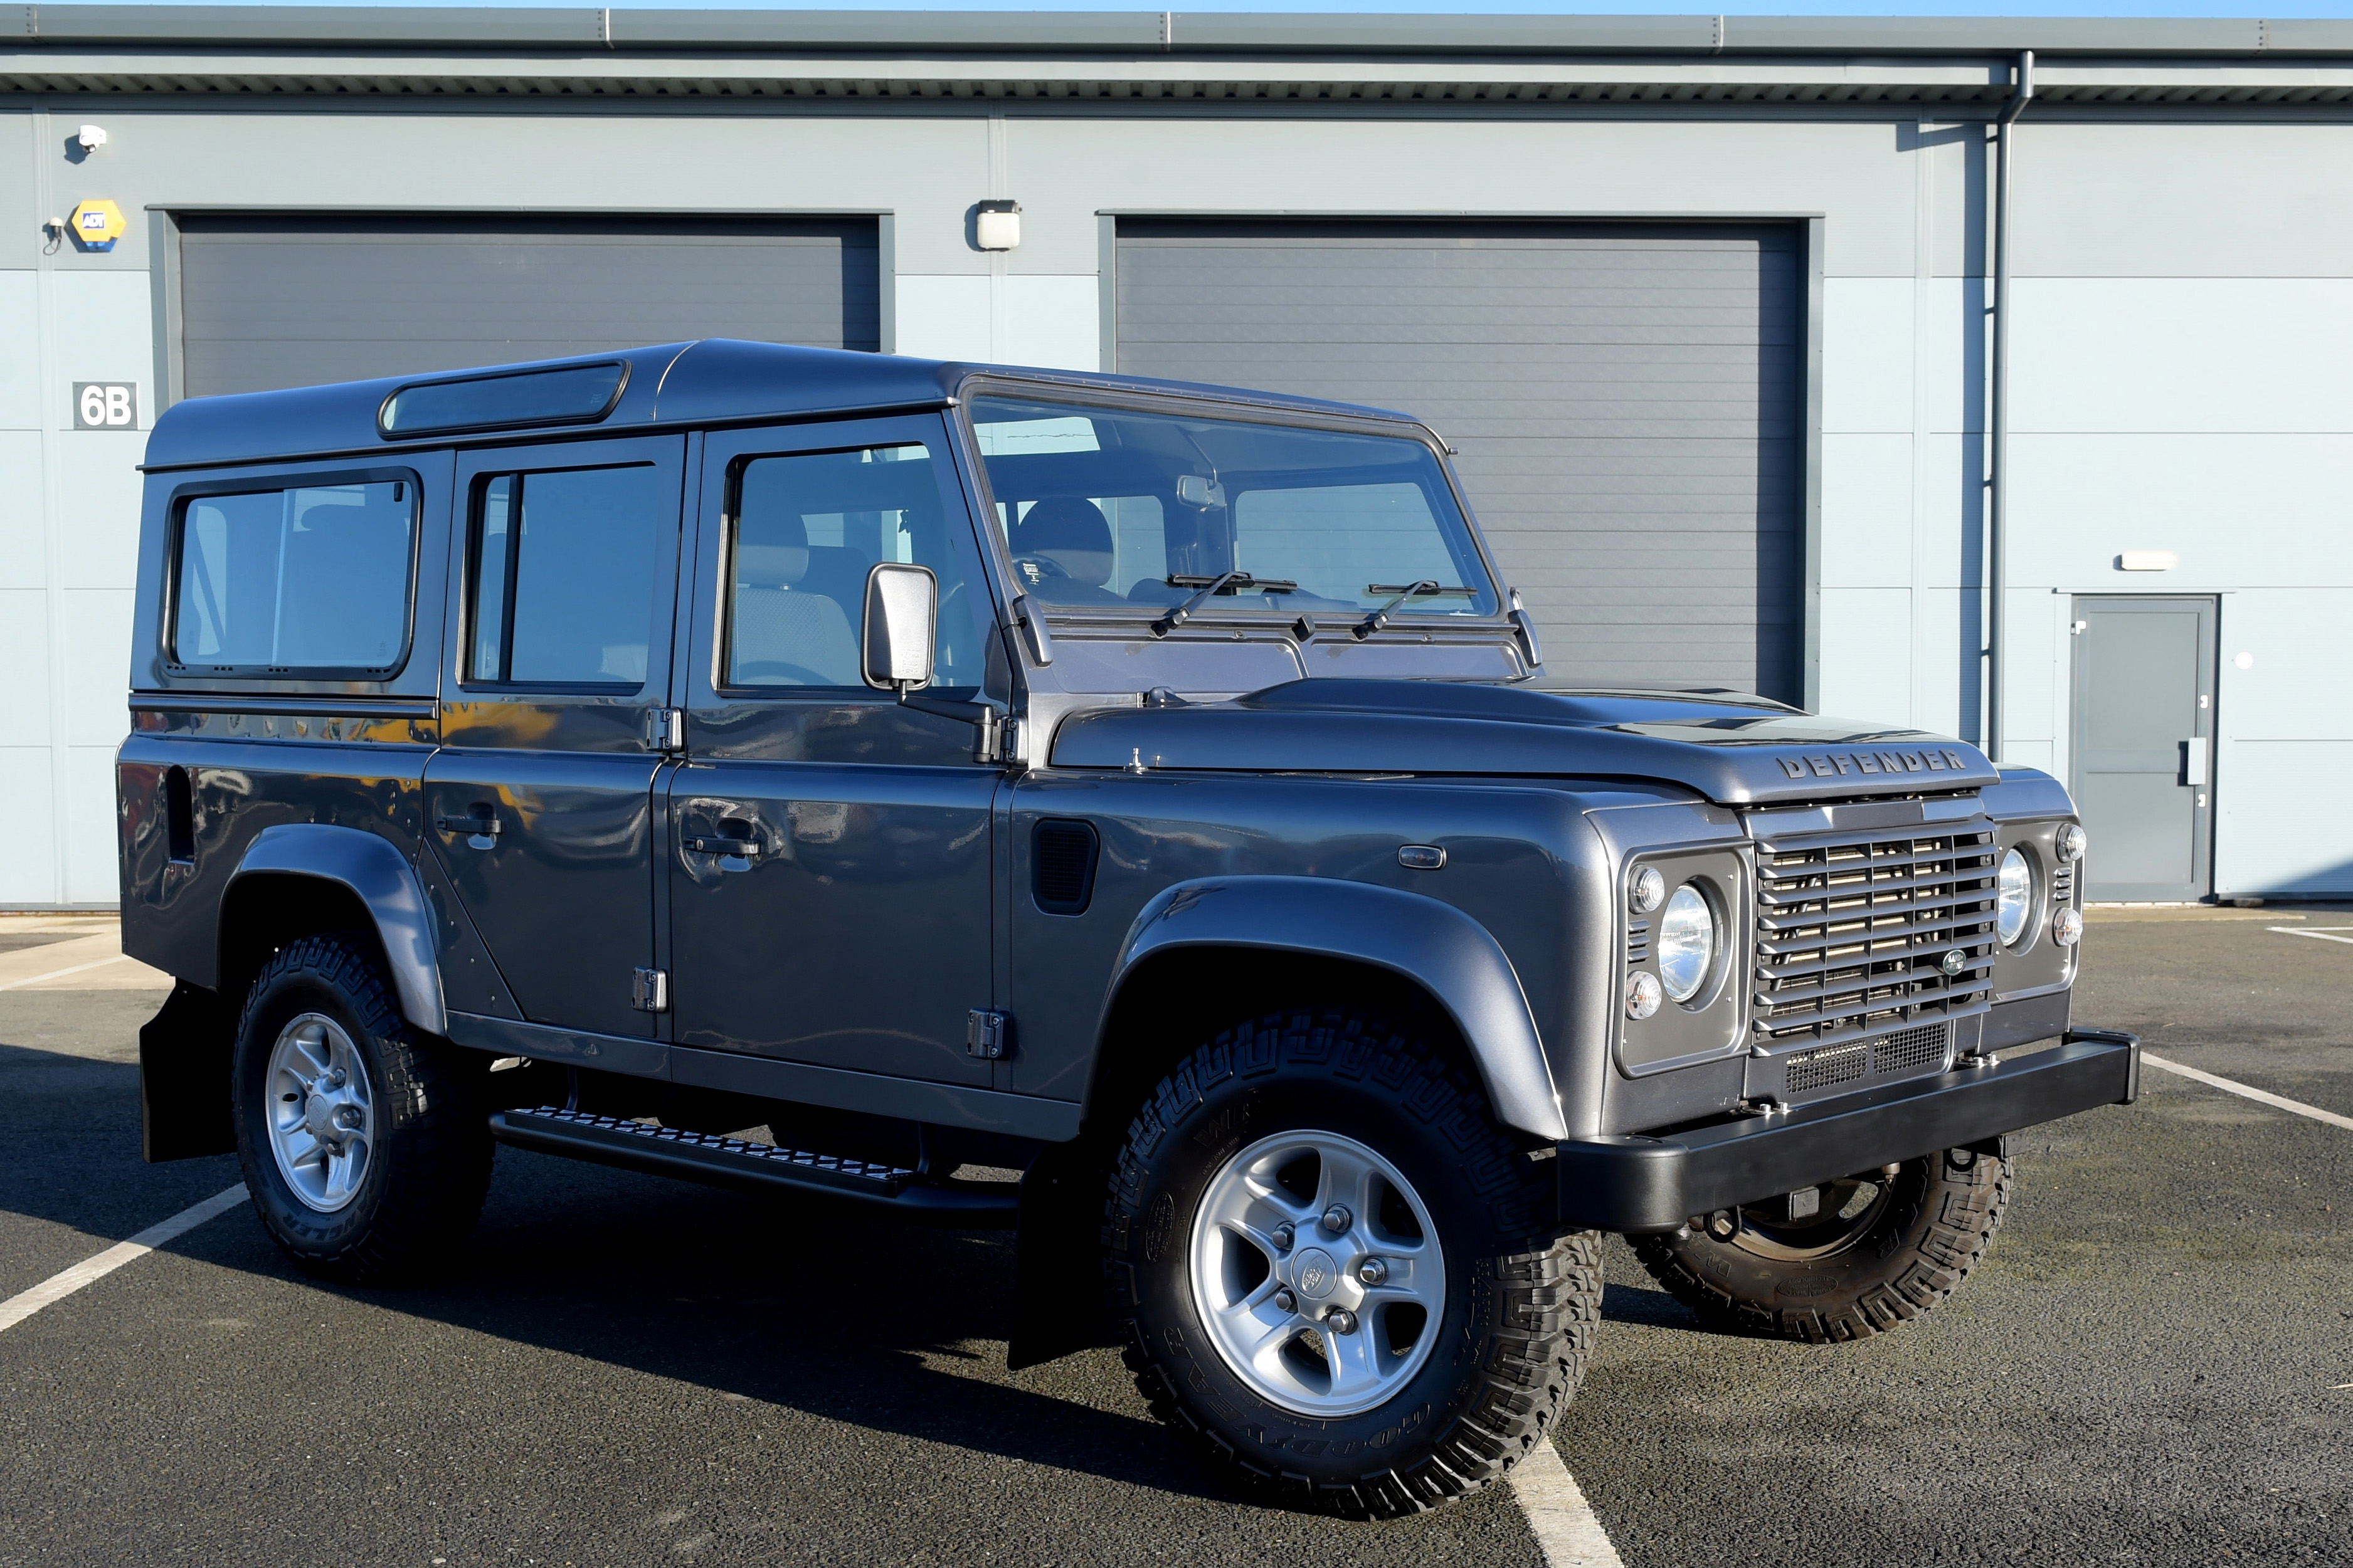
{"x":564,"y":577}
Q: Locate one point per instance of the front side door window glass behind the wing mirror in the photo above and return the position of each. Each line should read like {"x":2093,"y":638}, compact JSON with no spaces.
{"x":804,"y":535}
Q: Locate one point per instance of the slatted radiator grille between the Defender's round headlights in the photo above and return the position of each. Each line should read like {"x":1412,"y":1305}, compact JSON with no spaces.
{"x":1855,"y":934}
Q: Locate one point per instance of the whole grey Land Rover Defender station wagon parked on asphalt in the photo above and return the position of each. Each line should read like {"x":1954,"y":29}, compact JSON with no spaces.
{"x":869,"y":779}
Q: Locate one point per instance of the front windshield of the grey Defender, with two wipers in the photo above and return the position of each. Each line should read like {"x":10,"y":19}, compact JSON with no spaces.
{"x":1159,"y":511}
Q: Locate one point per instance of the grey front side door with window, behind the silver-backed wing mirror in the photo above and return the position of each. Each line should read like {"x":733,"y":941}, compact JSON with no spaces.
{"x":832,"y":847}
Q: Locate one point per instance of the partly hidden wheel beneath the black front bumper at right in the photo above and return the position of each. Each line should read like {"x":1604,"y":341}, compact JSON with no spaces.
{"x":1841,"y":1261}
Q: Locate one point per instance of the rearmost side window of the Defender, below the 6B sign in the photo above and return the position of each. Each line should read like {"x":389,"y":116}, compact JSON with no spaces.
{"x":295,"y":579}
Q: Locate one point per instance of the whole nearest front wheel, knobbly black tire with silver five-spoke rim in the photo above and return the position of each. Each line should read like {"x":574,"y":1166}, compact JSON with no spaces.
{"x":1338,"y":1273}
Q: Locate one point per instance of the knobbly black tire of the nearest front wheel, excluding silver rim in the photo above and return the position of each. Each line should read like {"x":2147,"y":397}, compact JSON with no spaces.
{"x":1521,"y":1301}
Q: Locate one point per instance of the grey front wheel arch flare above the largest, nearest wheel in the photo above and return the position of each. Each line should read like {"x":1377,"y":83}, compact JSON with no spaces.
{"x":1286,"y":939}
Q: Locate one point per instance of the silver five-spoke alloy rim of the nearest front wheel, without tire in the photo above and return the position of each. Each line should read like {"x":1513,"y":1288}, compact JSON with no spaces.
{"x":1319,"y":1273}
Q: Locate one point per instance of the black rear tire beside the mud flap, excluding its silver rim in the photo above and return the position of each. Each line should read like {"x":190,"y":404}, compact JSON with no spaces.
{"x":429,"y":1167}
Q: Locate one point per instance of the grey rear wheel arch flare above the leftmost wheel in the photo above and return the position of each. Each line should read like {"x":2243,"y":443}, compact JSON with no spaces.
{"x":305,"y":878}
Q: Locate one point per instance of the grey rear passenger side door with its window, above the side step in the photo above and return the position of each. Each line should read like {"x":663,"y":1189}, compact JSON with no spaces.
{"x":540,"y":803}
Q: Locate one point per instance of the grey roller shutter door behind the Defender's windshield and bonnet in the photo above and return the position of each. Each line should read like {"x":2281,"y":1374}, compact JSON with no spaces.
{"x":1627,"y":403}
